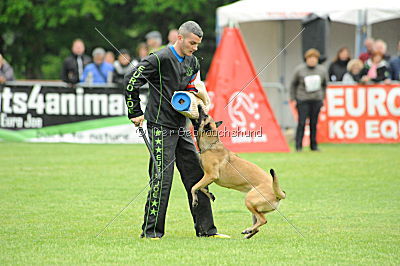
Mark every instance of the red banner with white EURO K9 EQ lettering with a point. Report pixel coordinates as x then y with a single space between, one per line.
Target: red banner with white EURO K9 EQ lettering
360 114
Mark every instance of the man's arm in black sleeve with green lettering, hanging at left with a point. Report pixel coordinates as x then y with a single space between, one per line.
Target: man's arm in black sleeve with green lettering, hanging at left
132 82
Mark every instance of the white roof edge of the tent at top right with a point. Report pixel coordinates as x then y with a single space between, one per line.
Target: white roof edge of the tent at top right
339 11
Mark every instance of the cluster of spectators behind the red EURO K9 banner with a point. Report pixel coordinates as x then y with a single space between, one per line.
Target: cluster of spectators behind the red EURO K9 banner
374 65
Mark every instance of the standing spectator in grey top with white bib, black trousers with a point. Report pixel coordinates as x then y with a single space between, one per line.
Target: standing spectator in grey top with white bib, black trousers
308 90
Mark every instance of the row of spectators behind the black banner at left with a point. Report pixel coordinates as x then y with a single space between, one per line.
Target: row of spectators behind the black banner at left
103 67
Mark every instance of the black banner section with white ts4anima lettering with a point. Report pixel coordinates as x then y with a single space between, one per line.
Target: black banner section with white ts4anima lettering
30 104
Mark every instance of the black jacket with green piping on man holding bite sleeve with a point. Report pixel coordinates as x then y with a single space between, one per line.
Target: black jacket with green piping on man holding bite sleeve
165 74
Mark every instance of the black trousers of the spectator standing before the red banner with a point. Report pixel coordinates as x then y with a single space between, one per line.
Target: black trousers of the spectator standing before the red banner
307 109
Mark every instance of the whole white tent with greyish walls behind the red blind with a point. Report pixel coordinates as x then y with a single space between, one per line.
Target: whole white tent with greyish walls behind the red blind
268 26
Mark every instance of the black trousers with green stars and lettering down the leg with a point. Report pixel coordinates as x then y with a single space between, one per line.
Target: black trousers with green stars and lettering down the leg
169 147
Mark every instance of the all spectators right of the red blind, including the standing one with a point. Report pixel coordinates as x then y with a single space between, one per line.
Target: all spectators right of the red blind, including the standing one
310 79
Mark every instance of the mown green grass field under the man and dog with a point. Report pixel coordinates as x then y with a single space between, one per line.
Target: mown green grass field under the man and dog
55 198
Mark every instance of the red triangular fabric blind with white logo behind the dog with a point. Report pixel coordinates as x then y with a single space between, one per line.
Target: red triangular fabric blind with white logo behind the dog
249 122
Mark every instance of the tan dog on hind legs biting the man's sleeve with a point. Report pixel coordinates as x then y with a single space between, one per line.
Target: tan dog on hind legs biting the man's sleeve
227 169
